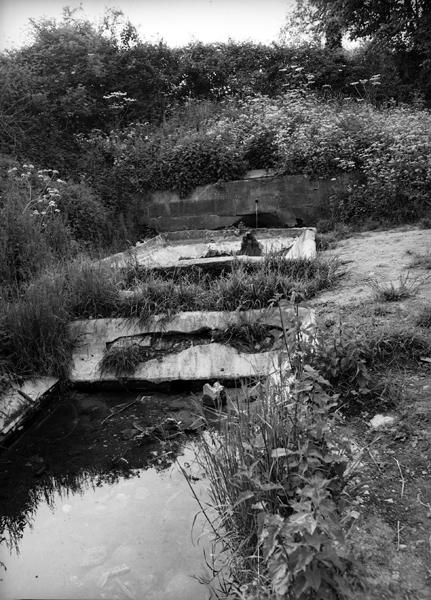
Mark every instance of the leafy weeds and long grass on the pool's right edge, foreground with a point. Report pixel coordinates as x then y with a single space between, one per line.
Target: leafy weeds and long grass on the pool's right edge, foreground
276 477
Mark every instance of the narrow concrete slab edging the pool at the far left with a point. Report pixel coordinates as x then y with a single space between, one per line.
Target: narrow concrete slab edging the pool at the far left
19 401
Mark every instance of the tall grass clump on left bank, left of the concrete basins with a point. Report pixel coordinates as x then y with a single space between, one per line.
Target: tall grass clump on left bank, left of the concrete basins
34 317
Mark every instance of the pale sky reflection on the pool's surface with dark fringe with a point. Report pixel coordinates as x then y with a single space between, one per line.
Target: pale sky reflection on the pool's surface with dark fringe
103 532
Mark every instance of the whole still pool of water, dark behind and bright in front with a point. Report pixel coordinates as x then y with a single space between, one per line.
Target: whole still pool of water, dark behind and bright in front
85 527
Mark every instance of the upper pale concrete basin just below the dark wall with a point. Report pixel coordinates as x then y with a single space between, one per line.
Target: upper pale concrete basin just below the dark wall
167 251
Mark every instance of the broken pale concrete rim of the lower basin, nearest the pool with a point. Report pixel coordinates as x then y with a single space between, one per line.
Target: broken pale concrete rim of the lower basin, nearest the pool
202 362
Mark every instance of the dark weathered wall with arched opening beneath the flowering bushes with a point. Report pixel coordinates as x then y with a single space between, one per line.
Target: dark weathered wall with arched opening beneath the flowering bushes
281 201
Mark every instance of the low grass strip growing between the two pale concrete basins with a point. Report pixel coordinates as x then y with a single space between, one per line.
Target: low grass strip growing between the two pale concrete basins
244 287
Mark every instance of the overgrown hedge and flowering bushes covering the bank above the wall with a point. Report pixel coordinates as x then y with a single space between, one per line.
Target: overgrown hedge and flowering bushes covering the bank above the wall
178 118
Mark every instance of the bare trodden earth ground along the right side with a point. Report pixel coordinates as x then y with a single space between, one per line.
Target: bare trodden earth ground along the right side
391 535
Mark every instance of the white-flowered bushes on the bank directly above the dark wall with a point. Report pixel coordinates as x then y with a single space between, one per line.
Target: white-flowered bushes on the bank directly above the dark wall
385 150
